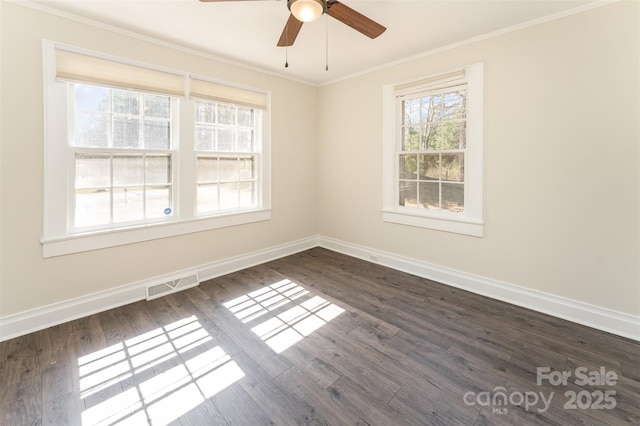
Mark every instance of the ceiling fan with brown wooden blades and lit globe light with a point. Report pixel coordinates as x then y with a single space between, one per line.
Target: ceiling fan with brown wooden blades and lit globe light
310 10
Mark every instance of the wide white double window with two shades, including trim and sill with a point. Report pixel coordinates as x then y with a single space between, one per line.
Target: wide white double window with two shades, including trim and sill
134 152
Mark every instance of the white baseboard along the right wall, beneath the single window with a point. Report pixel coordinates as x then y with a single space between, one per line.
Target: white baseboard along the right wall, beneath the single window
618 323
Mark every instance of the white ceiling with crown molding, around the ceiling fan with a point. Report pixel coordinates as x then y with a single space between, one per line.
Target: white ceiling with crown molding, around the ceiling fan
247 31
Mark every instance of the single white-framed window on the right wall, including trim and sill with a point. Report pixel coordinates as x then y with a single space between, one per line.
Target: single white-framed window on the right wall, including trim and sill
433 152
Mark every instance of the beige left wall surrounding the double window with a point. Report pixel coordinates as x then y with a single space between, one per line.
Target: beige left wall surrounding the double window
29 281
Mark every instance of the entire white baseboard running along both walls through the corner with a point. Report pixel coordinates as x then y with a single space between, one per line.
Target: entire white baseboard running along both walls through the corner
582 313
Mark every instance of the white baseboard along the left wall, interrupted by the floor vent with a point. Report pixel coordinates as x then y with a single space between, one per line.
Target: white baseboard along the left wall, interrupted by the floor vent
57 313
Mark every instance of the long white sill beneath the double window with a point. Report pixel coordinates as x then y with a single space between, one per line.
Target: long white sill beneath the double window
102 239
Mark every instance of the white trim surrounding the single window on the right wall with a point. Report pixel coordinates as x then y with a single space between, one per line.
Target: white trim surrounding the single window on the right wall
470 222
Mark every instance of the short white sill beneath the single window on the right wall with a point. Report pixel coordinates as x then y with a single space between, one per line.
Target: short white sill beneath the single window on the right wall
457 225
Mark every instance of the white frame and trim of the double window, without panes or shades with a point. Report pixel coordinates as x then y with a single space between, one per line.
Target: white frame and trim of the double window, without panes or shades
57 238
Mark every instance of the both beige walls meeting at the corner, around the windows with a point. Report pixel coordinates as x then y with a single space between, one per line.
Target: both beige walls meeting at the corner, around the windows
562 187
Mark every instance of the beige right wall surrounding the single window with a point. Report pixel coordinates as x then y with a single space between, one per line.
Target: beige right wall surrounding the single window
561 139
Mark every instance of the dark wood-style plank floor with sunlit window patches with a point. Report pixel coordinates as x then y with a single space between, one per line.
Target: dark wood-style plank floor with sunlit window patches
319 338
